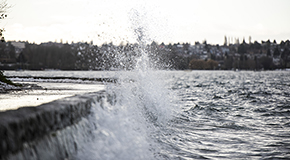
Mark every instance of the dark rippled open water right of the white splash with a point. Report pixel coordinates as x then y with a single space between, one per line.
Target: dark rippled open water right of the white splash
230 115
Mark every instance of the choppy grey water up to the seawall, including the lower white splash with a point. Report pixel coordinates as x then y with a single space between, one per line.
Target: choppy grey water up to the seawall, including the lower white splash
199 115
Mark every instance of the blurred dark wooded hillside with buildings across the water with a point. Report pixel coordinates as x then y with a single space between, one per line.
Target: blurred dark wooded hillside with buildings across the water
266 55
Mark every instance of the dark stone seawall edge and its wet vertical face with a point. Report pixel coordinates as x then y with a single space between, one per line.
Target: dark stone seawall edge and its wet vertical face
54 130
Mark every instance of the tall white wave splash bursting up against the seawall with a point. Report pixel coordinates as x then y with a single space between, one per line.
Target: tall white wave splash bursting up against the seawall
134 108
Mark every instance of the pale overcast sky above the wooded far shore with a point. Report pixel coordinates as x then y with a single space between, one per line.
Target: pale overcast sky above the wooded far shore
166 21
